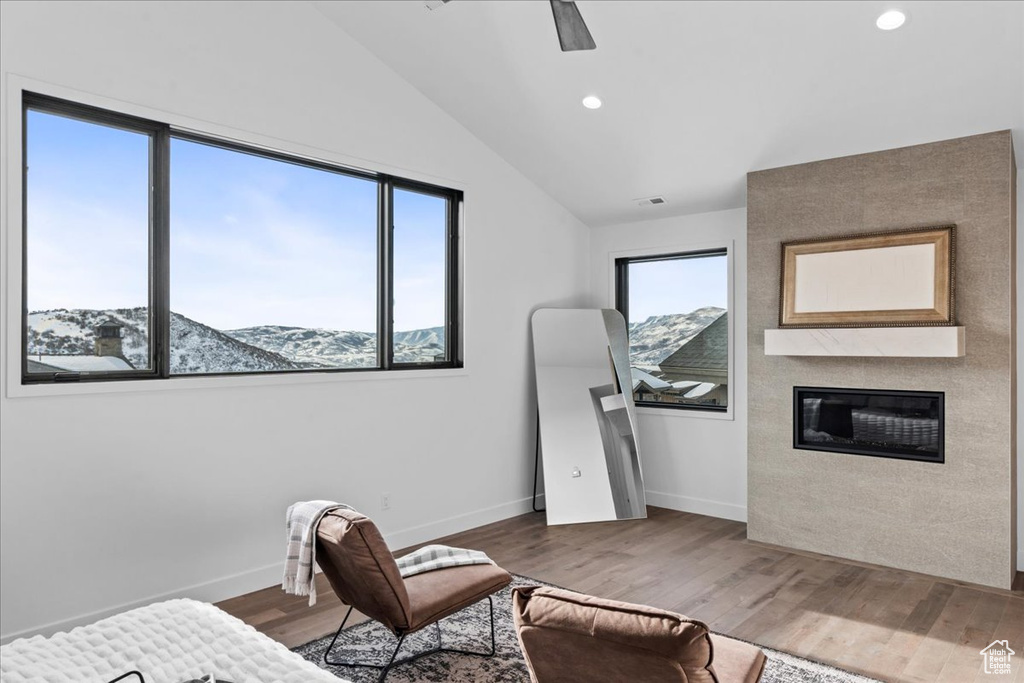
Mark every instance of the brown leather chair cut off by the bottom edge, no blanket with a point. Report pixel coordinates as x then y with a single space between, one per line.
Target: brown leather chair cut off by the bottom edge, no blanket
570 637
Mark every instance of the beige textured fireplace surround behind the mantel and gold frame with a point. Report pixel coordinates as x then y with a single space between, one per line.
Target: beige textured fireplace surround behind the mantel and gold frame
954 520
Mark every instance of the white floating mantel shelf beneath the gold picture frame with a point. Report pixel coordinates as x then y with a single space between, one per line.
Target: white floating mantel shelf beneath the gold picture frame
937 343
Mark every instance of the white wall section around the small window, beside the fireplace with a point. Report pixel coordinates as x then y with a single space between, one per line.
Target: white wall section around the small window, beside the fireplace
692 462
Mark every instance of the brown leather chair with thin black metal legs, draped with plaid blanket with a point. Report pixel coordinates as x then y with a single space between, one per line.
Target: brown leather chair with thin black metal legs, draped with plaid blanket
363 573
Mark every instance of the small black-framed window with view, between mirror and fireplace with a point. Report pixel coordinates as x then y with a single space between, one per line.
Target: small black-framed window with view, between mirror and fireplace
676 311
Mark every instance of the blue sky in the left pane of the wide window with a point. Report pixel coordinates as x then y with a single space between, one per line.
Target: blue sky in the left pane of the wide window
88 216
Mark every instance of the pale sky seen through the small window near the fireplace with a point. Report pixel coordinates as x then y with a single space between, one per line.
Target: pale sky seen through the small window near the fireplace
679 286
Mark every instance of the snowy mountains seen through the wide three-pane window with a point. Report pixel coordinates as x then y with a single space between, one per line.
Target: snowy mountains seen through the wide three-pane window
200 349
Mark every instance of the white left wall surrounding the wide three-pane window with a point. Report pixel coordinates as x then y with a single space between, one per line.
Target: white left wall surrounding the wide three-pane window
113 499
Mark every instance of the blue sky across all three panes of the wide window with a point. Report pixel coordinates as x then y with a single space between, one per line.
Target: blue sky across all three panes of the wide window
253 241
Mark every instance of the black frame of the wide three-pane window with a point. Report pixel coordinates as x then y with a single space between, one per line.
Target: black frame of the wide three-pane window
161 136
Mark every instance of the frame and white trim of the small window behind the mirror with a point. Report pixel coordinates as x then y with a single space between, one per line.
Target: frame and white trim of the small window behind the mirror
620 285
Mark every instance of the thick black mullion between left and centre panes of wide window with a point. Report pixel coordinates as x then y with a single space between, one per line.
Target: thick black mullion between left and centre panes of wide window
160 272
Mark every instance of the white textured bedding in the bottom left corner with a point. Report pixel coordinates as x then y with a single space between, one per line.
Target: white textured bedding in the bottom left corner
168 643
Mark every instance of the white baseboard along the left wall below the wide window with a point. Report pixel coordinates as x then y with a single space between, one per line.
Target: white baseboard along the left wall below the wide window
255 580
